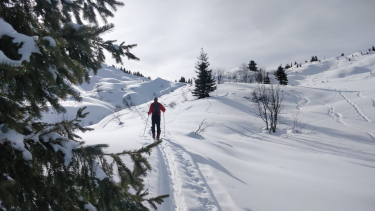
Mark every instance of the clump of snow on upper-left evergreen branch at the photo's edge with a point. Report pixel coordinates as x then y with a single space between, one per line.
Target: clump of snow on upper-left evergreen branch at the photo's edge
26 50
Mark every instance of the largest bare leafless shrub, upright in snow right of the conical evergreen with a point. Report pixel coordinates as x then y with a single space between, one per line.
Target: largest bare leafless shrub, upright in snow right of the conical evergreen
268 103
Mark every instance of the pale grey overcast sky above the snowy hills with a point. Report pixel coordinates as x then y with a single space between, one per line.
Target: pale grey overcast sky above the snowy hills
170 33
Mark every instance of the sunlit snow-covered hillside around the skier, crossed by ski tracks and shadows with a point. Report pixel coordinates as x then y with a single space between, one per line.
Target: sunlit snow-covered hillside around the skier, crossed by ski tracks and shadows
234 164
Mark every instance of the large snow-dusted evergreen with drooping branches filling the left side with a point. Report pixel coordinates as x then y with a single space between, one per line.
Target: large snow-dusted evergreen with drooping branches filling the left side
44 166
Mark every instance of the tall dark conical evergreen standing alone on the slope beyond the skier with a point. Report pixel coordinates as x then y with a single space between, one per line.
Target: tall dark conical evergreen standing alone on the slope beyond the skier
204 84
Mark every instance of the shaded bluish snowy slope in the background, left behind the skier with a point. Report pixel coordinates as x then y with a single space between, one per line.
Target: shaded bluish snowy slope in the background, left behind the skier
107 91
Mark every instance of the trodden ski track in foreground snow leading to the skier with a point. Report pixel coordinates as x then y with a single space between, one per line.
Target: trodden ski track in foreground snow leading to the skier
186 180
